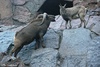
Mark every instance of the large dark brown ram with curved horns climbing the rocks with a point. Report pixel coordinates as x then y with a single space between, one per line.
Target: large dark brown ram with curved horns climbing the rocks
33 31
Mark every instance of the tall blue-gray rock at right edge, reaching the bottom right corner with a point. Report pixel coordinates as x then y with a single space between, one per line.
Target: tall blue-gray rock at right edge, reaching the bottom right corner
93 55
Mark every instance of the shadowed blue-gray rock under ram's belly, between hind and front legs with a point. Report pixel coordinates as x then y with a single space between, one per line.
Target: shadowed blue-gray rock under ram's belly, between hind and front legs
26 52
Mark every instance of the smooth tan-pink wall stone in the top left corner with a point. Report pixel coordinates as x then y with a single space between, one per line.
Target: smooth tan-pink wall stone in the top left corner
5 9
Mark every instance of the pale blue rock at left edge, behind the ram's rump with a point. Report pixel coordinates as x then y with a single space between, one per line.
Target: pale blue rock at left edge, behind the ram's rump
6 38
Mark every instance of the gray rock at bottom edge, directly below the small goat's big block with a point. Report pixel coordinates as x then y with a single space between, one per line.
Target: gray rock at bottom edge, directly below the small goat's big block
74 61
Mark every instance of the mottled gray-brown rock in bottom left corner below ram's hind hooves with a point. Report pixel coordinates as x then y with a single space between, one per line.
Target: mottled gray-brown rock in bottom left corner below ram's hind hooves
10 61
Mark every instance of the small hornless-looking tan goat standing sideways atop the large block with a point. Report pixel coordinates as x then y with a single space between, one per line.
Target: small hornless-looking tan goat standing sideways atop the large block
71 13
